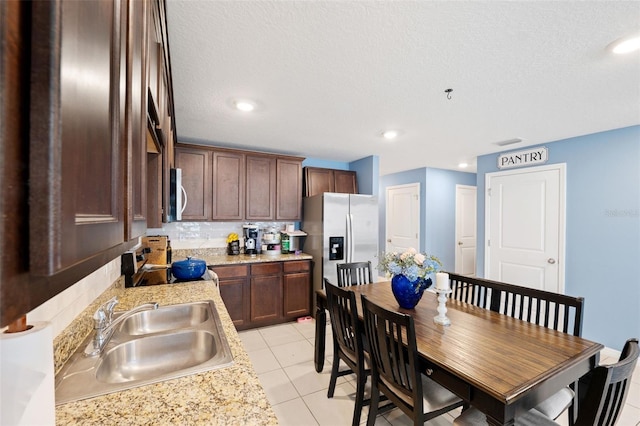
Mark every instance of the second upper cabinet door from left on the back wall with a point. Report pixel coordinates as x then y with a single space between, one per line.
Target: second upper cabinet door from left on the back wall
228 186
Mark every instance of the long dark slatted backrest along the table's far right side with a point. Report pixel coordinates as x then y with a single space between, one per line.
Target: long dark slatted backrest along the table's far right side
552 310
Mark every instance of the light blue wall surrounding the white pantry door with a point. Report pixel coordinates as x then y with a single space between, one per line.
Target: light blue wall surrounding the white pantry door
602 228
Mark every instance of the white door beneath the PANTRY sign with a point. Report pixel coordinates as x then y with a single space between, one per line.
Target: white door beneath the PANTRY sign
525 227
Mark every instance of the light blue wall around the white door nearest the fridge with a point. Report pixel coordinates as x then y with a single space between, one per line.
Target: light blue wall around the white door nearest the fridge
437 212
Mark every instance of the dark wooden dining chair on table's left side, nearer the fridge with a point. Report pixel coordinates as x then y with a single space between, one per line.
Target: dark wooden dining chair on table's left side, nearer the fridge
348 344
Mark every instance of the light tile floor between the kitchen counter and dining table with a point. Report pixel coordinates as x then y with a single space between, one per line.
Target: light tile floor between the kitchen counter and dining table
282 356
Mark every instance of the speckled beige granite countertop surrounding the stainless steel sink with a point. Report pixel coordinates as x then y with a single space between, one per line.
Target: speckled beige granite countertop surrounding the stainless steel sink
227 396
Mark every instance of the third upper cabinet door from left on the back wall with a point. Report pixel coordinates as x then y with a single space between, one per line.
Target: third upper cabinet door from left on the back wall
261 188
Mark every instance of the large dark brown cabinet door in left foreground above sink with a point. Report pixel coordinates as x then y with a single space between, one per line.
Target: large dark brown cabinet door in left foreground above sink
76 180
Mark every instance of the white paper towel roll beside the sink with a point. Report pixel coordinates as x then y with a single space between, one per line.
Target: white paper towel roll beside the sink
26 368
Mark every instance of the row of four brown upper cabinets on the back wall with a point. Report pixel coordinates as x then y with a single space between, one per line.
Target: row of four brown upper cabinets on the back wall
235 185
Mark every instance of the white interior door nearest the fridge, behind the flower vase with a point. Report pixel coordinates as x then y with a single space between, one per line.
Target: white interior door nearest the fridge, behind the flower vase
403 217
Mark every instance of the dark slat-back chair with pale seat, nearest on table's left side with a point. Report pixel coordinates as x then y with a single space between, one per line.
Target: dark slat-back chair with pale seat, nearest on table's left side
395 370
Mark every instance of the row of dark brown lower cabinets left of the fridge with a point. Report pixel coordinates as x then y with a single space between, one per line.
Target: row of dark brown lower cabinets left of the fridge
266 293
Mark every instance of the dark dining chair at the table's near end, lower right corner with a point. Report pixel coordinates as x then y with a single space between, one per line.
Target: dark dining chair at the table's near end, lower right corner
605 391
